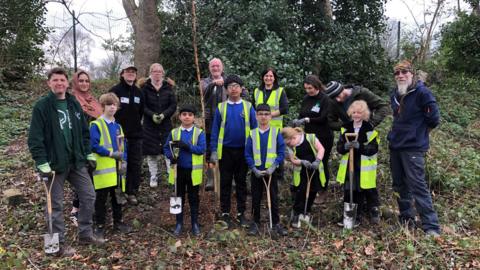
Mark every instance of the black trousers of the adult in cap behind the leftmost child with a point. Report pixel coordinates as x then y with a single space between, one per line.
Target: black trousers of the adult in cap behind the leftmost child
134 165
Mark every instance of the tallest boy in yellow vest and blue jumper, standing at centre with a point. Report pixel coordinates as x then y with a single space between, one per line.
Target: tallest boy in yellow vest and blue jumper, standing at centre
234 118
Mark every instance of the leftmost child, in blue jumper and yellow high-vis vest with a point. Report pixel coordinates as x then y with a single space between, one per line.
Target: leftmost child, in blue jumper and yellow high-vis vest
103 138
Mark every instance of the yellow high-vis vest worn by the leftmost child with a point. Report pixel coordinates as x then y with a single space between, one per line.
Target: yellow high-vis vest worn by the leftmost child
105 174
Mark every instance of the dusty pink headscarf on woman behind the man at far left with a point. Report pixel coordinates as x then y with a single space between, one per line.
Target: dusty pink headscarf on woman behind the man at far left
89 104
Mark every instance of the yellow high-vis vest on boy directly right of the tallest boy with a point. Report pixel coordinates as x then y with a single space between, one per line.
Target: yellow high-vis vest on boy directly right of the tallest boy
271 147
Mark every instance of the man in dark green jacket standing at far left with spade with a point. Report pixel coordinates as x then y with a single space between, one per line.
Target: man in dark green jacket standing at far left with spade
59 142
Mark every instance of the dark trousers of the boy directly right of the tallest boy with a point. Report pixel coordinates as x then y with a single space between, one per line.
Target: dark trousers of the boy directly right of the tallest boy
258 186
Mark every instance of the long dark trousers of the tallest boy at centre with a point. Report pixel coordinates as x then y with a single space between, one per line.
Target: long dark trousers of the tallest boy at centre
233 167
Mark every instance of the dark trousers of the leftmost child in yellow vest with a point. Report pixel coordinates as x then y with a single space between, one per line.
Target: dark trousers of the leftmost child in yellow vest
101 207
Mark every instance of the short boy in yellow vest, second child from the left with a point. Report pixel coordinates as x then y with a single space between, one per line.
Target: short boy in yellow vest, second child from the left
191 144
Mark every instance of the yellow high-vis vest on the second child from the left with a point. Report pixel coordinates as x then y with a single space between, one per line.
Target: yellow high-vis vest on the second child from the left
197 160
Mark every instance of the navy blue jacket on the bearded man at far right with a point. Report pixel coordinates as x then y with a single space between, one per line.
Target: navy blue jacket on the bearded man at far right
414 115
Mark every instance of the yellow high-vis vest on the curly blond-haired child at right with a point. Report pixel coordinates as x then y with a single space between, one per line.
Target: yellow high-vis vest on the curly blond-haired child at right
368 165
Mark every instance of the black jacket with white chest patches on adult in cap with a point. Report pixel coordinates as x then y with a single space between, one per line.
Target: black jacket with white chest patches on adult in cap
130 113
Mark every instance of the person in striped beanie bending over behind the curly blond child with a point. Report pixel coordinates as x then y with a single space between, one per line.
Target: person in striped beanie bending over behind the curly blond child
342 96
